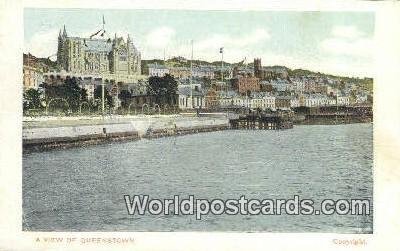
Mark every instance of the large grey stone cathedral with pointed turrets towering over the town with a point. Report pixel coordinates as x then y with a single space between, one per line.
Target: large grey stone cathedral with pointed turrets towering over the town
98 56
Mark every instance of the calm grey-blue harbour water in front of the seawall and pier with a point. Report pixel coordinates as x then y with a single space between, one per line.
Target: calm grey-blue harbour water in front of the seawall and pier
81 189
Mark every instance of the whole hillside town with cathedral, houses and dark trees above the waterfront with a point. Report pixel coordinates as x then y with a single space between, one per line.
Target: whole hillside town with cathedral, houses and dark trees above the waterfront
93 72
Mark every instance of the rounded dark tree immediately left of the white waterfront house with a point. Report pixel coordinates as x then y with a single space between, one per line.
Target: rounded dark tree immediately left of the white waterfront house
163 89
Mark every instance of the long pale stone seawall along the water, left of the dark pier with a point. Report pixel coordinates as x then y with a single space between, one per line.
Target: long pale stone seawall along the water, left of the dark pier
44 138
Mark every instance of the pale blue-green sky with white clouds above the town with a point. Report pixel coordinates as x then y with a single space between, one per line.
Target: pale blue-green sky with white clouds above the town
338 43
